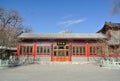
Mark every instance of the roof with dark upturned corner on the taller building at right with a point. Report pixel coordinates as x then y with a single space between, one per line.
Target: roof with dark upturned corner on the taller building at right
114 34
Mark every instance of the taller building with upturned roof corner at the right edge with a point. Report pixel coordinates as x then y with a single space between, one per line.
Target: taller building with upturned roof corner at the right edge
112 30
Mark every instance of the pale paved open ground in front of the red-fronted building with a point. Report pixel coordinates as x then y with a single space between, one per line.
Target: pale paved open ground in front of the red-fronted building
59 72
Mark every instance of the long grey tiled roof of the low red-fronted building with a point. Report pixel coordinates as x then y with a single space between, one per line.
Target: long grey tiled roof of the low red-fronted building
60 35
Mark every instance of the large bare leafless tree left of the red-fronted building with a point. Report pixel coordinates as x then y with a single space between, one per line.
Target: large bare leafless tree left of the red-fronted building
10 27
